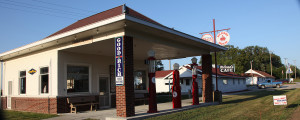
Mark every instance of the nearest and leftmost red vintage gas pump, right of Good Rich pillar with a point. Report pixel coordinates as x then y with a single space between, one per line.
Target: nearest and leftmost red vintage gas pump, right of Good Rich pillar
152 89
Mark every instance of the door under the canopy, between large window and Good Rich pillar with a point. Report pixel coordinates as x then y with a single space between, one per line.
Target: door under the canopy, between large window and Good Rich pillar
104 92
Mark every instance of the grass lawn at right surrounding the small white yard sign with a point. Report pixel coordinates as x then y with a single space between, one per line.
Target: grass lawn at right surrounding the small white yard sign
250 106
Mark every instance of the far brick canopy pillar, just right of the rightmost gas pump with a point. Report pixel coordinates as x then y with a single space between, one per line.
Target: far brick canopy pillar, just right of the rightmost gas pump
207 78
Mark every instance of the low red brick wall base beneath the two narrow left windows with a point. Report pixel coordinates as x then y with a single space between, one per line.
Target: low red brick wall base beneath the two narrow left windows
37 105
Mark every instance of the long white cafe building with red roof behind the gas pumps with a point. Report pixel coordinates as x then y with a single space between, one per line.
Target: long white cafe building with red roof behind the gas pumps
227 82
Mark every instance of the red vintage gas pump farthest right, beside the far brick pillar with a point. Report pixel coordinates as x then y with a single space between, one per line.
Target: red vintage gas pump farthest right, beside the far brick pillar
195 84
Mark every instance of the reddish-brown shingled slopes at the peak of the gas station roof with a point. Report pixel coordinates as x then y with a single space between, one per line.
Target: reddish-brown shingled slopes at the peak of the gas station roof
104 15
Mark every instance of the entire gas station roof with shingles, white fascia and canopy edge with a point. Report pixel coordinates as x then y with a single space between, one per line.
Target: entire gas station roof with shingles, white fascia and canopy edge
114 18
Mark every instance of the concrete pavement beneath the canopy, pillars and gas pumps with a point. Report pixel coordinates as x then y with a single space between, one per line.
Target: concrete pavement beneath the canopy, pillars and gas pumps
140 112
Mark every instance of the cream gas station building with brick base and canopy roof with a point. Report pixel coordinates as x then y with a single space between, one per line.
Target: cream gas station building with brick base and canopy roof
79 60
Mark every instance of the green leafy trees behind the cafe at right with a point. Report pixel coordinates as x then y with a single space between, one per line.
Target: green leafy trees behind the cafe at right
260 57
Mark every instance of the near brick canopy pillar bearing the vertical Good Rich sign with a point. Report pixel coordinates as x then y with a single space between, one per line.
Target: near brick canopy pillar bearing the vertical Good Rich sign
125 94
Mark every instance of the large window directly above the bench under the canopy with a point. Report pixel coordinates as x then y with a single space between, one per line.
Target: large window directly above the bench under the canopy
77 79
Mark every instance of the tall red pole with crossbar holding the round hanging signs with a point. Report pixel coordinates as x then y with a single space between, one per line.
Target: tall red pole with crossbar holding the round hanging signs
214 31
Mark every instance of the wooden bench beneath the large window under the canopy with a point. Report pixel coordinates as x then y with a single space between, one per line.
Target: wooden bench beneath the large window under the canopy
82 101
